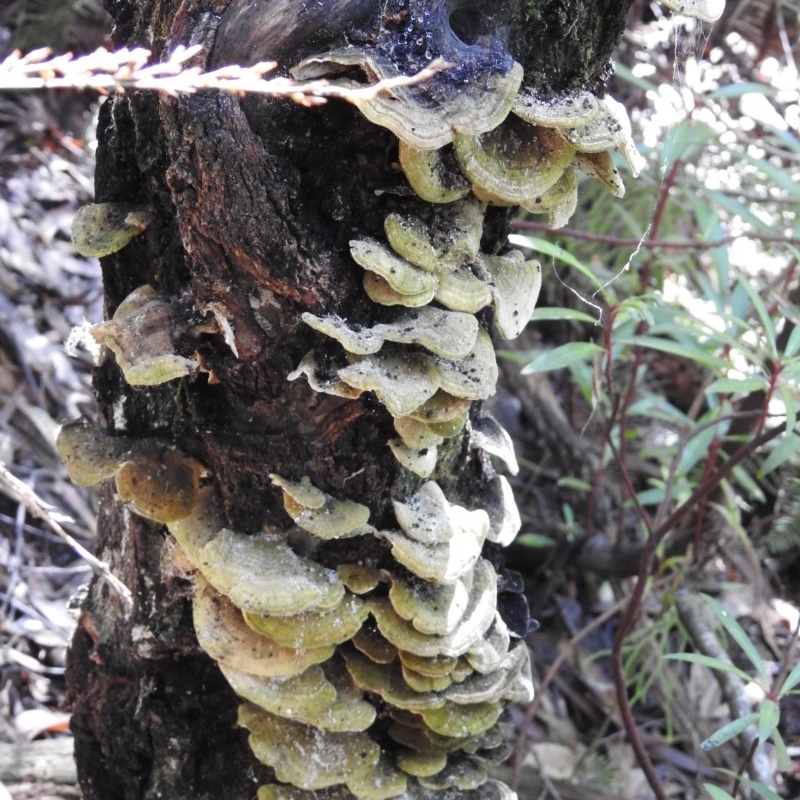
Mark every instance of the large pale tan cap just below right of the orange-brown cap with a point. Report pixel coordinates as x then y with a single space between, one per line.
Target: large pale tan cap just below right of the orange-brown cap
261 574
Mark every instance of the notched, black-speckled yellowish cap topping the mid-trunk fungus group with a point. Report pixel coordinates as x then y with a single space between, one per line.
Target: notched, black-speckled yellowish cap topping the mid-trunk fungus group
450 240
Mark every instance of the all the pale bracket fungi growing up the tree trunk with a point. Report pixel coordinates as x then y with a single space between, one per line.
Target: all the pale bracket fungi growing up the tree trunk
378 681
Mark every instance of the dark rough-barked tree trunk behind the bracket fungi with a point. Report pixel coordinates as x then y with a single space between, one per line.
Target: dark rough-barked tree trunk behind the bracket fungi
255 203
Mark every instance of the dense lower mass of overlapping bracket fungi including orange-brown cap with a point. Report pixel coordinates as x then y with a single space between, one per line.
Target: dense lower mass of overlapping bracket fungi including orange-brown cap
370 683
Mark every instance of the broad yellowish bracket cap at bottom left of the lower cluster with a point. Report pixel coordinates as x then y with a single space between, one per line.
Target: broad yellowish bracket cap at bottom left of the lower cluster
306 756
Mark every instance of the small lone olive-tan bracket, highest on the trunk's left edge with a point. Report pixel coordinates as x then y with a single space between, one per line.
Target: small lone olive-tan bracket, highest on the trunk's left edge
100 229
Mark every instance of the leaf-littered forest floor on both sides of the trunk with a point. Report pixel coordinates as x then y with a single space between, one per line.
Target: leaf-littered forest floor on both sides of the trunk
571 741
